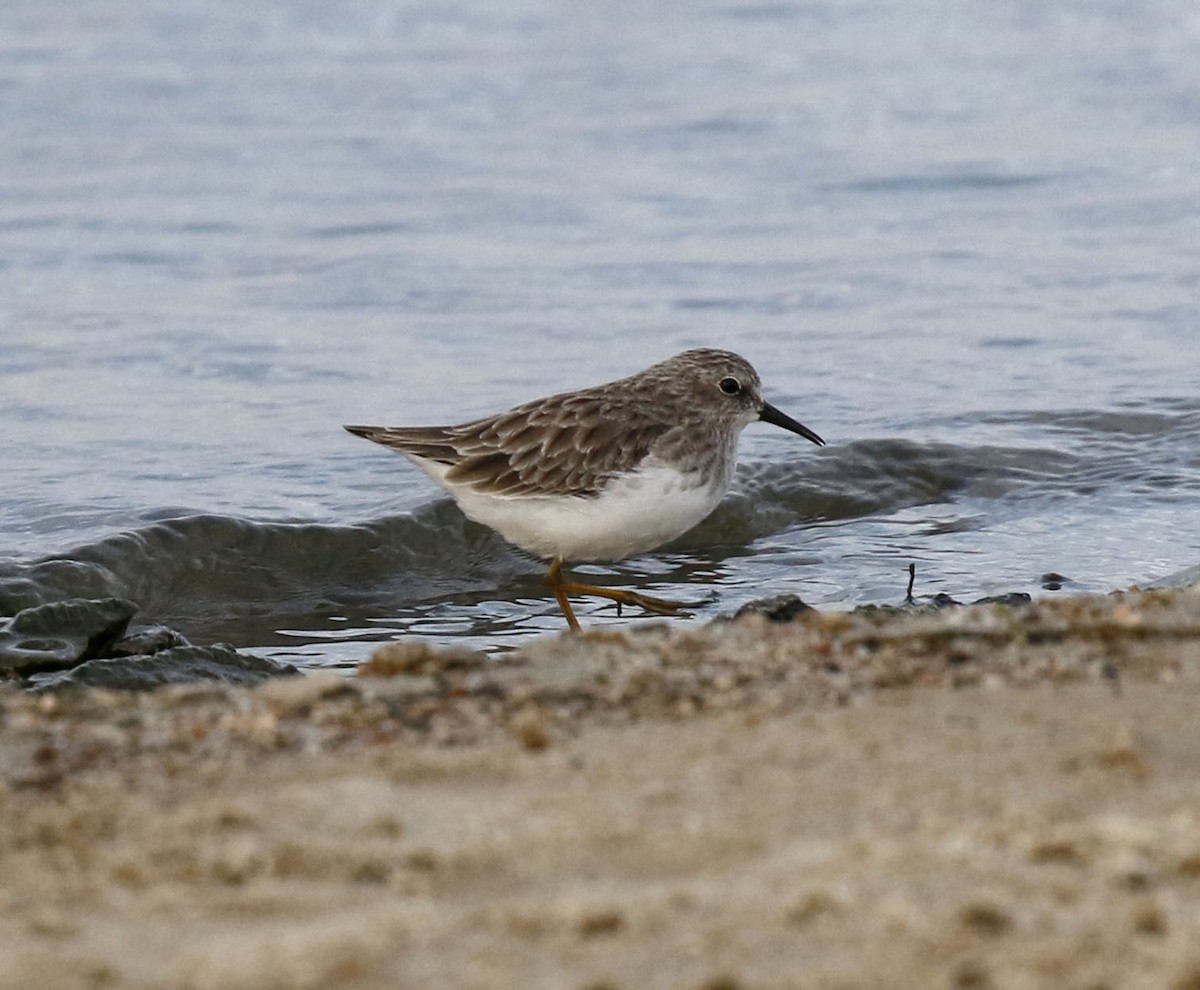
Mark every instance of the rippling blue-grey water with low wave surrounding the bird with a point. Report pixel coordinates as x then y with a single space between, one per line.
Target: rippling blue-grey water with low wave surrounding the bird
961 242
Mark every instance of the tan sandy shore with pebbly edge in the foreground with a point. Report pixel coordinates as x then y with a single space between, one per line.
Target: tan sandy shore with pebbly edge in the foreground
977 799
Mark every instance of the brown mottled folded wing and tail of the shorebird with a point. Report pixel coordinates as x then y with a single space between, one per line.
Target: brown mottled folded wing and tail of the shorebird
569 445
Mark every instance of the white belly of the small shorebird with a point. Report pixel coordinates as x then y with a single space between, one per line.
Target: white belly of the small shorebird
633 515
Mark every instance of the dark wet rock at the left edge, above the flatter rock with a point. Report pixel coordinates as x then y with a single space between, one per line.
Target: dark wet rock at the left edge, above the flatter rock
63 634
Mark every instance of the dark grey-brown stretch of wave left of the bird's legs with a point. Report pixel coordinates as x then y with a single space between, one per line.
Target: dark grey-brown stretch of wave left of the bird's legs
201 569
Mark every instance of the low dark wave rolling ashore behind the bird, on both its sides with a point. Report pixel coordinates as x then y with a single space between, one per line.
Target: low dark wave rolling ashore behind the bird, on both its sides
219 578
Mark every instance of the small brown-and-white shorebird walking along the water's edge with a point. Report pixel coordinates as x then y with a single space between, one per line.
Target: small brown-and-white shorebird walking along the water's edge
601 473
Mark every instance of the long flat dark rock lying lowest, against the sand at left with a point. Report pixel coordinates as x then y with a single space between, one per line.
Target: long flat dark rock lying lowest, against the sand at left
178 665
